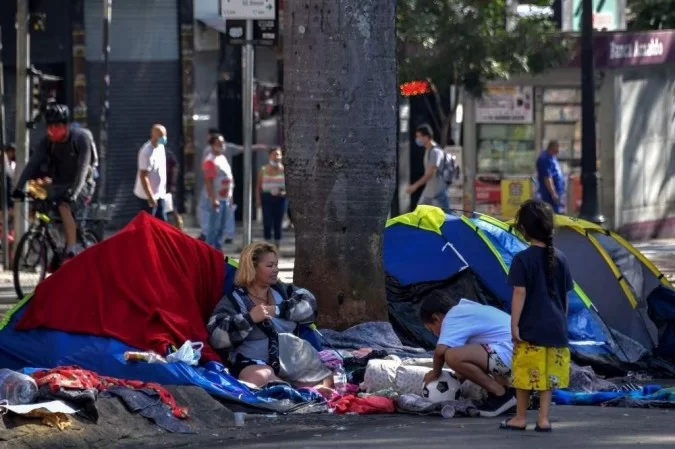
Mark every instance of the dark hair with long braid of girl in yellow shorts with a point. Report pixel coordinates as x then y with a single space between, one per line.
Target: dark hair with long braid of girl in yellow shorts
535 220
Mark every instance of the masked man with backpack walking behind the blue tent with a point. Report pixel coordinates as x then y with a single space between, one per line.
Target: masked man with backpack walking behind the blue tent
435 191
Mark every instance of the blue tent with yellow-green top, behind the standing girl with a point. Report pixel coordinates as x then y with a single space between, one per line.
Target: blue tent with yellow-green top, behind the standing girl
427 247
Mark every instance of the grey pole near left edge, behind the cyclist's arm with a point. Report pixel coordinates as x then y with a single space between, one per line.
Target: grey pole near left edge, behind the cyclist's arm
21 135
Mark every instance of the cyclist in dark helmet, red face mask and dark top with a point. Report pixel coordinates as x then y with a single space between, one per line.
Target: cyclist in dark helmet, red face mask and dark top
66 154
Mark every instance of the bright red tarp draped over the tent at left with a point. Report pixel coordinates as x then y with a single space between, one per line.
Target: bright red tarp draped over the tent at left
149 286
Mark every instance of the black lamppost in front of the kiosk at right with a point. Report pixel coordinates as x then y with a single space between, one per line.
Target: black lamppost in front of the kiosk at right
590 207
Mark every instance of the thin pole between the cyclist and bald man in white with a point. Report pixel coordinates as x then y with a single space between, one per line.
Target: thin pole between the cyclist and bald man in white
105 103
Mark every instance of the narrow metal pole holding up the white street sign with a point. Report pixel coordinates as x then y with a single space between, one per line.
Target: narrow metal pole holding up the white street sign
247 62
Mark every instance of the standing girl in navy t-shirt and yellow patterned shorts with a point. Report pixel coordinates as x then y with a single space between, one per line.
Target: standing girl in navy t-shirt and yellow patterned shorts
541 279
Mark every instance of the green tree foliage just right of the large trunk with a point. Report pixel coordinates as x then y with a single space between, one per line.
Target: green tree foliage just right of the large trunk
465 42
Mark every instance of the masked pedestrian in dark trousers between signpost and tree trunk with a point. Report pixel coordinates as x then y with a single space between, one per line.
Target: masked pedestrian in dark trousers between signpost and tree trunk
271 195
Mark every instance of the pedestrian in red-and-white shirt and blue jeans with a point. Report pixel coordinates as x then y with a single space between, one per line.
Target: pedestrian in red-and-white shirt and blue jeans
217 190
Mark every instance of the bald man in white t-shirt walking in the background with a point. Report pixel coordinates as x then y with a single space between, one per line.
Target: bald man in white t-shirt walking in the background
150 187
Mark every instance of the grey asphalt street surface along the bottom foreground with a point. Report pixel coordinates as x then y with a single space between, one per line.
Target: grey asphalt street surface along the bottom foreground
583 427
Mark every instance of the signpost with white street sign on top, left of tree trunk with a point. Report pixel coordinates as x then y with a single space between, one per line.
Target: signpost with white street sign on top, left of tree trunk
248 11
